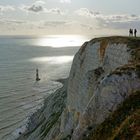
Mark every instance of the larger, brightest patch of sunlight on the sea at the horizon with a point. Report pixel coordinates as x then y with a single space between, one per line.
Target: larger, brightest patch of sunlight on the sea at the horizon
58 41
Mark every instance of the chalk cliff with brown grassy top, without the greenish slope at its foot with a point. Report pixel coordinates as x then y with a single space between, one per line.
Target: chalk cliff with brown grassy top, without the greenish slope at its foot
104 73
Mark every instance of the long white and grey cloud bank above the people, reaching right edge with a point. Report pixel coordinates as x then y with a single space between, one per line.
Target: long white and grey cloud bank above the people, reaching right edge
119 21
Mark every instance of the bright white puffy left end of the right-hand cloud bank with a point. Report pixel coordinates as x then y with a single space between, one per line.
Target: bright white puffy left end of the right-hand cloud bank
86 12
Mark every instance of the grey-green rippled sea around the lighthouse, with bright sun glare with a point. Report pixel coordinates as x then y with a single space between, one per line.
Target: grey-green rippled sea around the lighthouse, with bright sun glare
20 56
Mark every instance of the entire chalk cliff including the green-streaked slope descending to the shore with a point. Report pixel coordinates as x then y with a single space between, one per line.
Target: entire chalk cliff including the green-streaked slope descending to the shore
105 72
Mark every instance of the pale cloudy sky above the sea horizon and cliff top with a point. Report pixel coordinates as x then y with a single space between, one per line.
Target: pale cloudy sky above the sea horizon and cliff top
84 17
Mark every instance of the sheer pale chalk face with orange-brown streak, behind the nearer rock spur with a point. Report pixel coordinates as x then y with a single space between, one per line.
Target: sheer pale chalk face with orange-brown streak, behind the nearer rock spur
93 61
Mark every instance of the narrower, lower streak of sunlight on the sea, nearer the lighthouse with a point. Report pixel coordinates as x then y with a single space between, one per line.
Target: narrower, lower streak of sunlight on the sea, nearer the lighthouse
54 59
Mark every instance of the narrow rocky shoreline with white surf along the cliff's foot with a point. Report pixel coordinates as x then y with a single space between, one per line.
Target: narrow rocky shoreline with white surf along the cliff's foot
27 125
